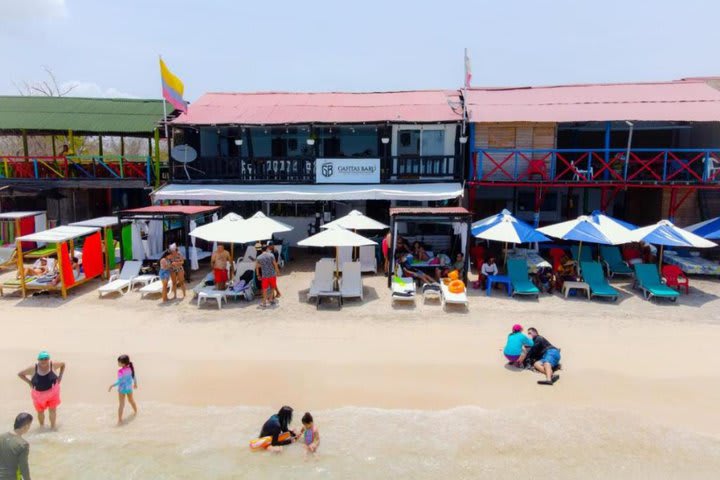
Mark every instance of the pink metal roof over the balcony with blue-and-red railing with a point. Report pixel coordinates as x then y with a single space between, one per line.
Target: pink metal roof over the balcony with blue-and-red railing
682 100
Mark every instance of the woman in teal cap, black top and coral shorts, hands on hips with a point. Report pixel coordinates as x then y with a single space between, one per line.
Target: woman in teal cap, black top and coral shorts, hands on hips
44 385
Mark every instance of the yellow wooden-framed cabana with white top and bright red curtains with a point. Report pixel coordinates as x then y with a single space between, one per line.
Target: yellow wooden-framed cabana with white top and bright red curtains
63 239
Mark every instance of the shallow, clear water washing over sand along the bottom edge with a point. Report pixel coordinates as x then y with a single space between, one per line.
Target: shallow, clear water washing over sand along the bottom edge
174 442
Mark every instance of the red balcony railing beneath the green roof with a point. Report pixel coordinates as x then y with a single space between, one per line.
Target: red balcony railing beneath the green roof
77 167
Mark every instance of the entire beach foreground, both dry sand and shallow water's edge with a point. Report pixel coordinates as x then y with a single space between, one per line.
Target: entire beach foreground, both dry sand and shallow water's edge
408 392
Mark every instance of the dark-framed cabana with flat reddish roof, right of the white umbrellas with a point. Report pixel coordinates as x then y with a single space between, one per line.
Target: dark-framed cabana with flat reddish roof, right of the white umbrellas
457 220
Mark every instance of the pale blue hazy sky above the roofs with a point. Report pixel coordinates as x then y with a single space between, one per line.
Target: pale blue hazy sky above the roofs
111 48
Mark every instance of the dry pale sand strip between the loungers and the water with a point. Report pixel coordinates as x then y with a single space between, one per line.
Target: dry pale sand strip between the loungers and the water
651 362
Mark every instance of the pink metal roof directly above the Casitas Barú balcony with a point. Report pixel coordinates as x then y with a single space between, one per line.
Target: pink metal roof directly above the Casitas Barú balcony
279 108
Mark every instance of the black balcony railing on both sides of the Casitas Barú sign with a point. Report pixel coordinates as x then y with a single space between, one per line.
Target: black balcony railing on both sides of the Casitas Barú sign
397 169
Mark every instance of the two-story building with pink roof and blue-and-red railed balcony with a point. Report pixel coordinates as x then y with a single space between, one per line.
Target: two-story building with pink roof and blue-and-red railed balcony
641 151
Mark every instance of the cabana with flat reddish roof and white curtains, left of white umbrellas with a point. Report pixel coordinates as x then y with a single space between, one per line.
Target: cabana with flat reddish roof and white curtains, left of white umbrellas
174 217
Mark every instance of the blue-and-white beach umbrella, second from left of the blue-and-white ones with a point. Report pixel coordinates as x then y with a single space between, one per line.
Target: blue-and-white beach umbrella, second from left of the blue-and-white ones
594 228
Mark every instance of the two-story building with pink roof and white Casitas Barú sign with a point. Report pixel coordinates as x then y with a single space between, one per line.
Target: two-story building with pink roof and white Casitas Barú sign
306 156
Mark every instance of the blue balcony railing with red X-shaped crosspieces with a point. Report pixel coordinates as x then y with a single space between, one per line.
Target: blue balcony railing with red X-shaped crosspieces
596 166
